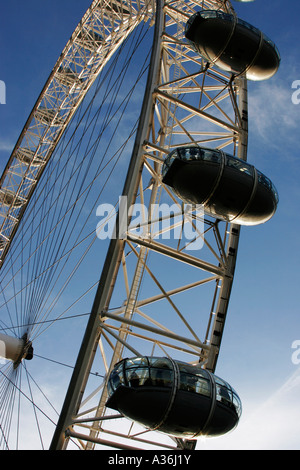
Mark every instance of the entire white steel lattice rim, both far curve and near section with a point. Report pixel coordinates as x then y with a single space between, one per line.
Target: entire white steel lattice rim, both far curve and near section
187 102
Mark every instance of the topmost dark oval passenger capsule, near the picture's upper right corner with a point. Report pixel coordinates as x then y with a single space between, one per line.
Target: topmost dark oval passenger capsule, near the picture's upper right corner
233 44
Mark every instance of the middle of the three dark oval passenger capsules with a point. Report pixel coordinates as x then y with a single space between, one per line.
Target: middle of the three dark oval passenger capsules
229 189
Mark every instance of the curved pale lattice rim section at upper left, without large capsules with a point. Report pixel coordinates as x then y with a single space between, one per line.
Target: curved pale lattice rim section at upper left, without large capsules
102 30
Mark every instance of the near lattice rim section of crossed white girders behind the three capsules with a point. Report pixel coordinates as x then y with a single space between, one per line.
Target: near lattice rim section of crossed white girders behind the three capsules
188 103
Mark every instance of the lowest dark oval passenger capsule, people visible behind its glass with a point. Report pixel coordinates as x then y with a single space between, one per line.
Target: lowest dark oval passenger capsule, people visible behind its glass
173 397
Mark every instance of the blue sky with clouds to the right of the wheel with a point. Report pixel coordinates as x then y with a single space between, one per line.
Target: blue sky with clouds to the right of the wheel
264 313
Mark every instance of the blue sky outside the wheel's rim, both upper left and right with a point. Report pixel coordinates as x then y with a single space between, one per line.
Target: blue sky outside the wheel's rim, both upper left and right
263 320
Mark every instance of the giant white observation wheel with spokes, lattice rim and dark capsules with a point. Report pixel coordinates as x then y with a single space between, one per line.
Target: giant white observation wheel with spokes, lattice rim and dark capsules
150 97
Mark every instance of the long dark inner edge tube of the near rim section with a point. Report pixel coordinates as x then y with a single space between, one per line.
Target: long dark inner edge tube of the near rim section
113 258
